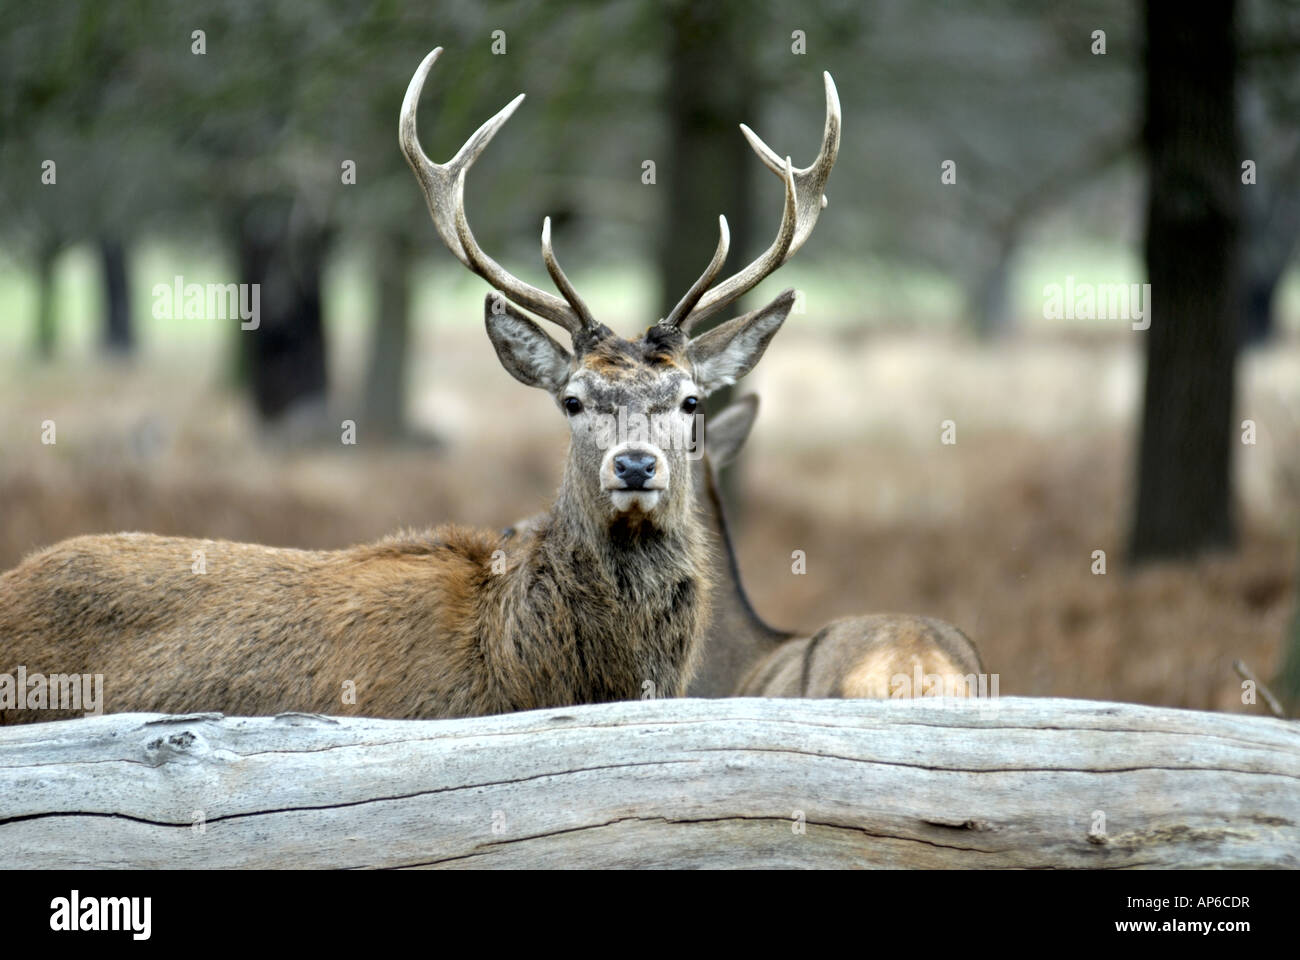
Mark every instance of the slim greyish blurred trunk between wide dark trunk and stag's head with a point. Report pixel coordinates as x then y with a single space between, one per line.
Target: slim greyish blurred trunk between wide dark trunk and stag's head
385 383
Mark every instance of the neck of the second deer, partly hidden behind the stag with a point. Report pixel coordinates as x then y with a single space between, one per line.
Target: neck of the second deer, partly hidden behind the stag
738 635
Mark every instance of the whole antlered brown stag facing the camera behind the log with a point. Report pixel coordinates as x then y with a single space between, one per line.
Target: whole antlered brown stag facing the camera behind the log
609 598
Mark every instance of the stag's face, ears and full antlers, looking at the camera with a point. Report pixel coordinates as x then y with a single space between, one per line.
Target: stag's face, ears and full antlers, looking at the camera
656 383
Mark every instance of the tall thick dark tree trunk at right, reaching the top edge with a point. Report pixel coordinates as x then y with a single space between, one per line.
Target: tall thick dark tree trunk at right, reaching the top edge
1186 448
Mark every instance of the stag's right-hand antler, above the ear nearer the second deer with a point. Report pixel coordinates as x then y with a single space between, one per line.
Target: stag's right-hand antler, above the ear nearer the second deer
804 204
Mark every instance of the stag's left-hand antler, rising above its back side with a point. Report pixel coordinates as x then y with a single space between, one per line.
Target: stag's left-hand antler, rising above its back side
444 188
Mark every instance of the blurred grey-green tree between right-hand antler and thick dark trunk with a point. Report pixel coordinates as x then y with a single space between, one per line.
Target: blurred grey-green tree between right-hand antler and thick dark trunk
925 85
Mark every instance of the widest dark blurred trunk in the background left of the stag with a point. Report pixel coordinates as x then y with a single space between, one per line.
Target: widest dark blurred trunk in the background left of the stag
285 354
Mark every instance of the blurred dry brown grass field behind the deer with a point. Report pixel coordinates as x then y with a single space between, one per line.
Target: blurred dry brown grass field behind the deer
995 533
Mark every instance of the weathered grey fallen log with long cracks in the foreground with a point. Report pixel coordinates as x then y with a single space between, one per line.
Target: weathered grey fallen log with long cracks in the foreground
928 784
